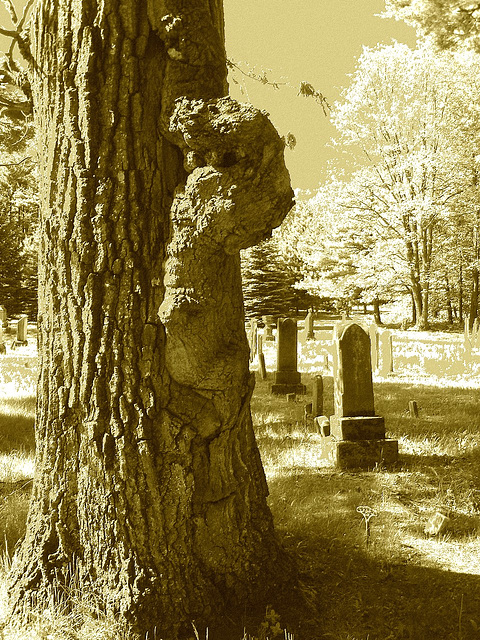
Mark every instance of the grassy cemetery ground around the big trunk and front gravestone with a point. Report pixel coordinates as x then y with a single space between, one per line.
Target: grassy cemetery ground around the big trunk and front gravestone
403 584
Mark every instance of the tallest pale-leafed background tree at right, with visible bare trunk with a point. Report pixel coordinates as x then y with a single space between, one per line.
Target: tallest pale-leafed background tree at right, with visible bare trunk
401 113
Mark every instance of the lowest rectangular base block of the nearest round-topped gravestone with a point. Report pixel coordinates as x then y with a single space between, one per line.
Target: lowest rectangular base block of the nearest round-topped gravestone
360 454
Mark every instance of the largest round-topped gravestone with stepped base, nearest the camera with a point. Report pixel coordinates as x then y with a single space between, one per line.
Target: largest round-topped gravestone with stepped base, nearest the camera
357 435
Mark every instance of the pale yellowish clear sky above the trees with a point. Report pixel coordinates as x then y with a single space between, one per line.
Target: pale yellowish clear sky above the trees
316 41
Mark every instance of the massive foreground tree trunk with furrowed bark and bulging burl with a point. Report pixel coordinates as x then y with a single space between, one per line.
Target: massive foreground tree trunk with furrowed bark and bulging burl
148 477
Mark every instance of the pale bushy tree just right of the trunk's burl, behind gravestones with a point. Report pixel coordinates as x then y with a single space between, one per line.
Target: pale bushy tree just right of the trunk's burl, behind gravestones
344 260
